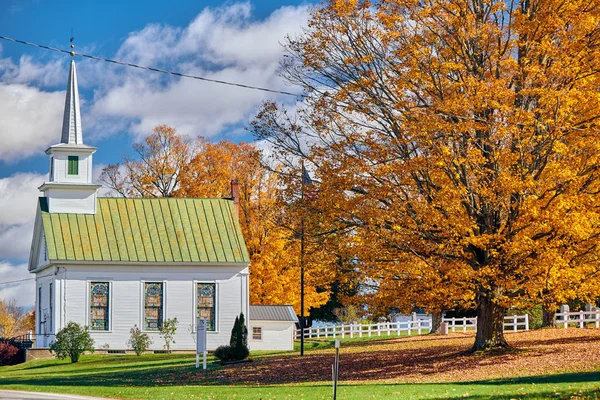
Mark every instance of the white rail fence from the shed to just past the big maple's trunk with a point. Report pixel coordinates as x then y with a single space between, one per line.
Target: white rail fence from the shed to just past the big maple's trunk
420 326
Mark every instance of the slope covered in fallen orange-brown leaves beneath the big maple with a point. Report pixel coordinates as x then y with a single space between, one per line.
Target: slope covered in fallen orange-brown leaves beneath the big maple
431 359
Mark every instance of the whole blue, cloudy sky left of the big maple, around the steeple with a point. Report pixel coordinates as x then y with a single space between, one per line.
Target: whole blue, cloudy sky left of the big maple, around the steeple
233 41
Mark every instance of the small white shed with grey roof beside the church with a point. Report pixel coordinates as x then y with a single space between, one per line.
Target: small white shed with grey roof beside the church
272 327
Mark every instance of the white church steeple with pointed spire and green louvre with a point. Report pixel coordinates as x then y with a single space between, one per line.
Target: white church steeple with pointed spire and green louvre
69 188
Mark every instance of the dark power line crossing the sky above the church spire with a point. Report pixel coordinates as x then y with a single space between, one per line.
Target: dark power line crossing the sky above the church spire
162 71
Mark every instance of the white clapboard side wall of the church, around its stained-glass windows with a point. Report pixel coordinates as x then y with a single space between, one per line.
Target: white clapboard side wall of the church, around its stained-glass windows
126 300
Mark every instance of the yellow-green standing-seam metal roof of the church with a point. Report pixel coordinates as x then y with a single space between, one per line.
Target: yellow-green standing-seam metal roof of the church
147 230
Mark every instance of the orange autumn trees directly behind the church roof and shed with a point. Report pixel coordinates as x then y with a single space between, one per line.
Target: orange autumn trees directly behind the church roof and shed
168 164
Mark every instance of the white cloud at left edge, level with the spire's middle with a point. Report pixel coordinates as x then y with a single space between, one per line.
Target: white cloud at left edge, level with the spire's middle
31 120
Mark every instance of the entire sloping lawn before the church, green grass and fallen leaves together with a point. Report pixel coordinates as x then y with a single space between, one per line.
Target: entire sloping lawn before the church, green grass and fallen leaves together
557 363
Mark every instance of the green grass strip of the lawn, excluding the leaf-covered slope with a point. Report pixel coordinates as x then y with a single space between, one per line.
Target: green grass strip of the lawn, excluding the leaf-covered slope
156 377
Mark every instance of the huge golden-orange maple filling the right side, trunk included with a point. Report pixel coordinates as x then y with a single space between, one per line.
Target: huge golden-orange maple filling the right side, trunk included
458 140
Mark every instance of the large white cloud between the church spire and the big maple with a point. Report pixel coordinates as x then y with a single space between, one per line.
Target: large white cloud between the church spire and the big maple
224 44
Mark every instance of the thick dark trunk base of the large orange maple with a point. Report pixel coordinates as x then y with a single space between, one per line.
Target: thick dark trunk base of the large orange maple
490 325
